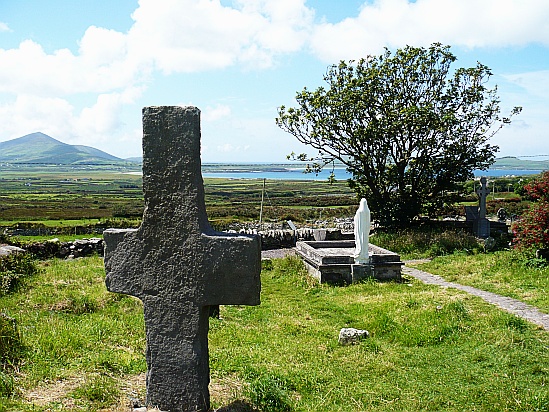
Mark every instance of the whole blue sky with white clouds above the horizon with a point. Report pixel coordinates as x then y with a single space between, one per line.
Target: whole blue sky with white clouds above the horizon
81 71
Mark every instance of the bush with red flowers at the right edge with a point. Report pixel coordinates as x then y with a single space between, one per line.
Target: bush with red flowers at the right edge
532 229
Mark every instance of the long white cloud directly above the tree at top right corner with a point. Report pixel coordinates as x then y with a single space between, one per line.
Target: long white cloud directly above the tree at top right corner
466 23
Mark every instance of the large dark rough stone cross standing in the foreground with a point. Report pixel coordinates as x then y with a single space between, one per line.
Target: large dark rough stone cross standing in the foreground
176 264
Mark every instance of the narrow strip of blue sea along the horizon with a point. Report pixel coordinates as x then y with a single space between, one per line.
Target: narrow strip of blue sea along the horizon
340 174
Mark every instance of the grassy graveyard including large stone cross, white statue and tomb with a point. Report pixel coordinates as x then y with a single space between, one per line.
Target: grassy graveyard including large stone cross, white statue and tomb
134 329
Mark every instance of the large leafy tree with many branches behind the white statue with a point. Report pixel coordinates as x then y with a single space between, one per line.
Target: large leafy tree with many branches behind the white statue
405 126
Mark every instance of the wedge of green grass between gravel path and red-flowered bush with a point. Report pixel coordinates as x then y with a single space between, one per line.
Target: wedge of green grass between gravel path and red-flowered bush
505 272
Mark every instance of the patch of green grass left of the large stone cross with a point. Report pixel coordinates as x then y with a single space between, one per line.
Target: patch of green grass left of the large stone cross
72 328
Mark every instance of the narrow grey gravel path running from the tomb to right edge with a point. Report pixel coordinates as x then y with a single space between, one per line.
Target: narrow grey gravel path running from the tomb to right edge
514 306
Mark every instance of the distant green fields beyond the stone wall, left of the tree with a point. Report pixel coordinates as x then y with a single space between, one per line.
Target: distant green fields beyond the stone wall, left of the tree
80 196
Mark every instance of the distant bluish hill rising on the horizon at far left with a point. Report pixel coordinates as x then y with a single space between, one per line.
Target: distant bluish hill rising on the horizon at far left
41 148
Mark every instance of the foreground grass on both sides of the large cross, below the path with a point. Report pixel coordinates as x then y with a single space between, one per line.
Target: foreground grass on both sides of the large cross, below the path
429 348
